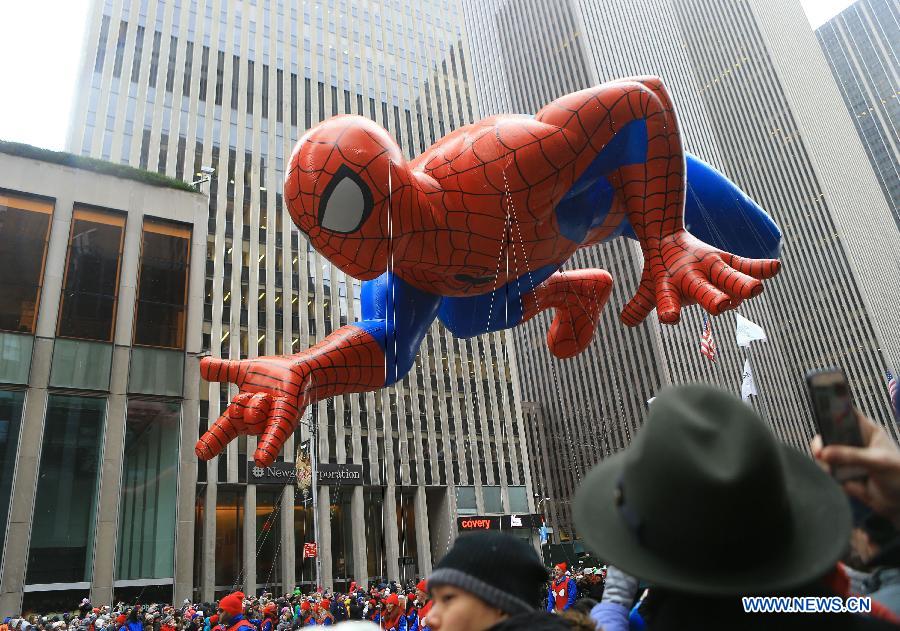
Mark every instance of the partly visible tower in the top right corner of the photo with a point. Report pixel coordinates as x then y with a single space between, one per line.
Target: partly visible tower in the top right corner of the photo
860 45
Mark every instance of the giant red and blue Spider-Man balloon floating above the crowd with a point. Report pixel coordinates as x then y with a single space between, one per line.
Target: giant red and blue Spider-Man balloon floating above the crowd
474 232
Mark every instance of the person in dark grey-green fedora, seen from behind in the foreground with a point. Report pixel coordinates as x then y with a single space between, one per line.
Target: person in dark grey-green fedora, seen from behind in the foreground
706 505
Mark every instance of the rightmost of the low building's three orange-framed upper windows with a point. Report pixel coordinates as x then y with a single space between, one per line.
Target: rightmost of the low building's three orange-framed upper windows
162 286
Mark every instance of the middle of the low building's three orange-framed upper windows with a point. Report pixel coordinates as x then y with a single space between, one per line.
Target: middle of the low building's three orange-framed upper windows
90 287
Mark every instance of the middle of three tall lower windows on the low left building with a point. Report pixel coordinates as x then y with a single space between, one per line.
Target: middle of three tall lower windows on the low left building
62 531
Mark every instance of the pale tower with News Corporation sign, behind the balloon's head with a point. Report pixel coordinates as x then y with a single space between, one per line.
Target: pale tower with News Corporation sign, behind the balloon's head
177 85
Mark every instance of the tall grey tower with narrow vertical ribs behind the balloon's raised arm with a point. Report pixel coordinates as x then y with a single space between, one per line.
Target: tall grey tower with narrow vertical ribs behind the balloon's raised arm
740 110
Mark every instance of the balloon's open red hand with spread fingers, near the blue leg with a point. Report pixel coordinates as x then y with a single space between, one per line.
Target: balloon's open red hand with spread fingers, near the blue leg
681 270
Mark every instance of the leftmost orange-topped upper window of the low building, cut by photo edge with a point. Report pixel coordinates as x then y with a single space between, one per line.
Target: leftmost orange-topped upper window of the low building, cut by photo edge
24 232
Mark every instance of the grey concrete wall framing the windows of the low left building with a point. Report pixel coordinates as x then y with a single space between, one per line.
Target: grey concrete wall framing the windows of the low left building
68 188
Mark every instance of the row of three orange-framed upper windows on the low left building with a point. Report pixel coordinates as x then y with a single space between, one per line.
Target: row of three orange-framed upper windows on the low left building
90 291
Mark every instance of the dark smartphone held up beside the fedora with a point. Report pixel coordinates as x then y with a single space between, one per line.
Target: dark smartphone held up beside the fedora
835 415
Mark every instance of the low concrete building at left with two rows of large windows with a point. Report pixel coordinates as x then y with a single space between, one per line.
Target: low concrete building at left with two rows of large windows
102 278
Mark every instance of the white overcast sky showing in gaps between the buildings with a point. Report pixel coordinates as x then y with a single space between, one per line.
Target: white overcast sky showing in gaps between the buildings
40 49
